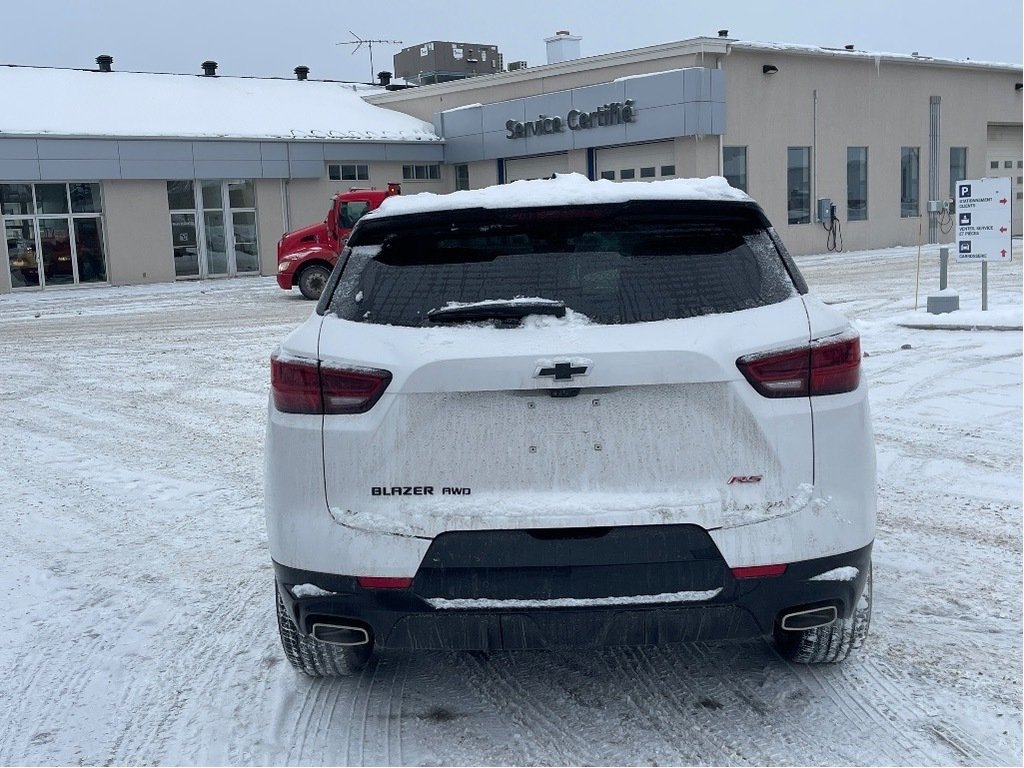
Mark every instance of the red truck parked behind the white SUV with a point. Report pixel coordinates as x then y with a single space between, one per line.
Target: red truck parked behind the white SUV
307 257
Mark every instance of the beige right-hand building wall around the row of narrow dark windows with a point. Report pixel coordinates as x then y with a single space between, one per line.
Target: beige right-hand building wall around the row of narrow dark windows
860 103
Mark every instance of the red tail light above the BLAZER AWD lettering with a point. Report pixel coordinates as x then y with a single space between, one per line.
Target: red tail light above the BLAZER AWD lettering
308 388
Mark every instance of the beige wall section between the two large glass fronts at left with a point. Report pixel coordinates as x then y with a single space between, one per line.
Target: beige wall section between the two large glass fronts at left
139 233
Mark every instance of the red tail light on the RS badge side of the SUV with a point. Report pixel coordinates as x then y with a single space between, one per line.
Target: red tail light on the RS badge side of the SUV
829 366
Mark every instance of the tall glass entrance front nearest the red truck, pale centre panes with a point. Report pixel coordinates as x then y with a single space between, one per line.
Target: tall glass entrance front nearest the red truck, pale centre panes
214 228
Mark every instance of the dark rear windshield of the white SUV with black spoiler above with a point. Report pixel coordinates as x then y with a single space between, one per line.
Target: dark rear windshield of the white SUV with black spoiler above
613 265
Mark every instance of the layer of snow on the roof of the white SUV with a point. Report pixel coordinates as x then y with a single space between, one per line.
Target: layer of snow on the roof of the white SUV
565 189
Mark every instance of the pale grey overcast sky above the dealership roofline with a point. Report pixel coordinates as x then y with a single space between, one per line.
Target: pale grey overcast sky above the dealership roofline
272 37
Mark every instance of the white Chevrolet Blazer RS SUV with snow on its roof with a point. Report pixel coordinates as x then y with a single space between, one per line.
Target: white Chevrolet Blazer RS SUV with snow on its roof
569 413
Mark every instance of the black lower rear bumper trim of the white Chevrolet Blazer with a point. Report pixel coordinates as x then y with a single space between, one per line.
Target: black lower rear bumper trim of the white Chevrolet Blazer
741 610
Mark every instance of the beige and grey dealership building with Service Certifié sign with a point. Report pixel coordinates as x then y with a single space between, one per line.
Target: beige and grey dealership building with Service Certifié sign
110 178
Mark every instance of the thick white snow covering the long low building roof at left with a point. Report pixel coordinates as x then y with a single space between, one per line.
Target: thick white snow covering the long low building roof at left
80 103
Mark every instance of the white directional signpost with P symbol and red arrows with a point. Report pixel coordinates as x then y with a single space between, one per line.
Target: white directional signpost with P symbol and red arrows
984 217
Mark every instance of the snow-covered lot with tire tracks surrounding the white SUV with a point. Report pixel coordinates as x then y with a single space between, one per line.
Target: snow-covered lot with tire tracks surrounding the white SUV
139 617
